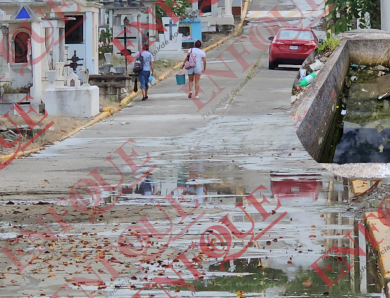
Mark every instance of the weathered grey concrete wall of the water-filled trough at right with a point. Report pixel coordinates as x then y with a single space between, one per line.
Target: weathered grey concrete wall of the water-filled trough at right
315 110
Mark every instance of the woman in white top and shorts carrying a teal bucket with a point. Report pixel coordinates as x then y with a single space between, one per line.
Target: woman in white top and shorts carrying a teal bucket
193 64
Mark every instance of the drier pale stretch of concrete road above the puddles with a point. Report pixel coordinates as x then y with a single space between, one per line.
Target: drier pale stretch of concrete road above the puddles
169 125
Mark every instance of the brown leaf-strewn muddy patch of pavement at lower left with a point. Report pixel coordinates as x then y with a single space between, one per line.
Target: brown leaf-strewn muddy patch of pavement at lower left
67 256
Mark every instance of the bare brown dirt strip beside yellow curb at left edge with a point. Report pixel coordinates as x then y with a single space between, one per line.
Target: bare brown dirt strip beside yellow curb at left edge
62 125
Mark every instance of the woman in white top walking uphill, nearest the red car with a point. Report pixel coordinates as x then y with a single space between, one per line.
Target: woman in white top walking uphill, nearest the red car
197 70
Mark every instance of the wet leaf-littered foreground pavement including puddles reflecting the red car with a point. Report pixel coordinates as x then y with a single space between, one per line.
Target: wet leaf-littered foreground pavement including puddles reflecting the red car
315 214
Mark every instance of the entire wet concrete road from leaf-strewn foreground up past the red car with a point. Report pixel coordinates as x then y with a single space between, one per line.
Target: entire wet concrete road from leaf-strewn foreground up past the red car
244 143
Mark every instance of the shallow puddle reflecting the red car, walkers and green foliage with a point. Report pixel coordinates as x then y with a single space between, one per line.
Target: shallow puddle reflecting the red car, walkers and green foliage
279 264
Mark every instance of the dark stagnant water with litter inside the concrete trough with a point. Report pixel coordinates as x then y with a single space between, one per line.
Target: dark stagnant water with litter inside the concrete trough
360 132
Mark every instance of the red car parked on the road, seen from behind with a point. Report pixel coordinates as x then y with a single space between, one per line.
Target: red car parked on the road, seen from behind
291 46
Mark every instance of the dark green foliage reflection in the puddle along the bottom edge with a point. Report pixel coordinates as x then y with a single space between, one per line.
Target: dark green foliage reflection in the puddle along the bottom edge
253 277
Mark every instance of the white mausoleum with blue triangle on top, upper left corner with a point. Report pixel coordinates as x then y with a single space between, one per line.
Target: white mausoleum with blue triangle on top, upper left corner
34 34
